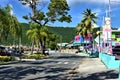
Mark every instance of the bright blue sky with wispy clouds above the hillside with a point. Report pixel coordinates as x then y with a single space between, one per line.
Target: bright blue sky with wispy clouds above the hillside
76 9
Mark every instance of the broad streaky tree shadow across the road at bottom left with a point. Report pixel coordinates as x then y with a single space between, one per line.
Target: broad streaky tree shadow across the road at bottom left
20 73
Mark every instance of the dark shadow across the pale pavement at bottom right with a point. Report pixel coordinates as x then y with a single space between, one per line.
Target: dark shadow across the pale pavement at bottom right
98 76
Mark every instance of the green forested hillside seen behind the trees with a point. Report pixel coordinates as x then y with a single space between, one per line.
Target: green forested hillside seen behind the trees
66 33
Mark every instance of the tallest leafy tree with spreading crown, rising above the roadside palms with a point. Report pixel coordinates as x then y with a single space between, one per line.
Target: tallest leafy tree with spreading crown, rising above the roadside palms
57 11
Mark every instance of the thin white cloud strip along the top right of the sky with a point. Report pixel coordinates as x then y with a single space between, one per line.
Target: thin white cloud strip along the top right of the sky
72 2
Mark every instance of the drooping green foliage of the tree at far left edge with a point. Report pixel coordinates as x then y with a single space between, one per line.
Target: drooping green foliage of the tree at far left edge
9 24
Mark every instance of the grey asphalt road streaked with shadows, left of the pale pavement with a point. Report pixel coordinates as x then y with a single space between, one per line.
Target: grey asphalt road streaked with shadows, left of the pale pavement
53 68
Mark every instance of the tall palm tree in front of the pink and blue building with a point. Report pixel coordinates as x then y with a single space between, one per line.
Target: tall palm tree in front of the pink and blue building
86 26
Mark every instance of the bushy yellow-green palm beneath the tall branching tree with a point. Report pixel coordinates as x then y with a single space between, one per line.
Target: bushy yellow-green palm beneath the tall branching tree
37 35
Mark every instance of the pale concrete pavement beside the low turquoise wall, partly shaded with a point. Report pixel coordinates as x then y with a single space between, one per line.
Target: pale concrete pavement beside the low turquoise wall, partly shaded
94 69
